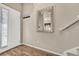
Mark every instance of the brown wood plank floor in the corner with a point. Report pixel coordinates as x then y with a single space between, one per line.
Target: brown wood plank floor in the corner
24 50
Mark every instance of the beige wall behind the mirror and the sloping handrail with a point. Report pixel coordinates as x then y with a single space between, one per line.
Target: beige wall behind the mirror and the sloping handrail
57 41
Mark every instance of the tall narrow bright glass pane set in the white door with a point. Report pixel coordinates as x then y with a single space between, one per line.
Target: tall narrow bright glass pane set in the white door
3 27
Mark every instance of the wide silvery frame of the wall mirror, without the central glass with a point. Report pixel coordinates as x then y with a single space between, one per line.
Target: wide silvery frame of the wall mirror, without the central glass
40 19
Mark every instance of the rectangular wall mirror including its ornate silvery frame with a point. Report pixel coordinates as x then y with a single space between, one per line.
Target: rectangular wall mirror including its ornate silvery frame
45 20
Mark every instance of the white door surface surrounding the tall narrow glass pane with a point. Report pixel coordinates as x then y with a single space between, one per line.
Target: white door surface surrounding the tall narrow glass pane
13 28
